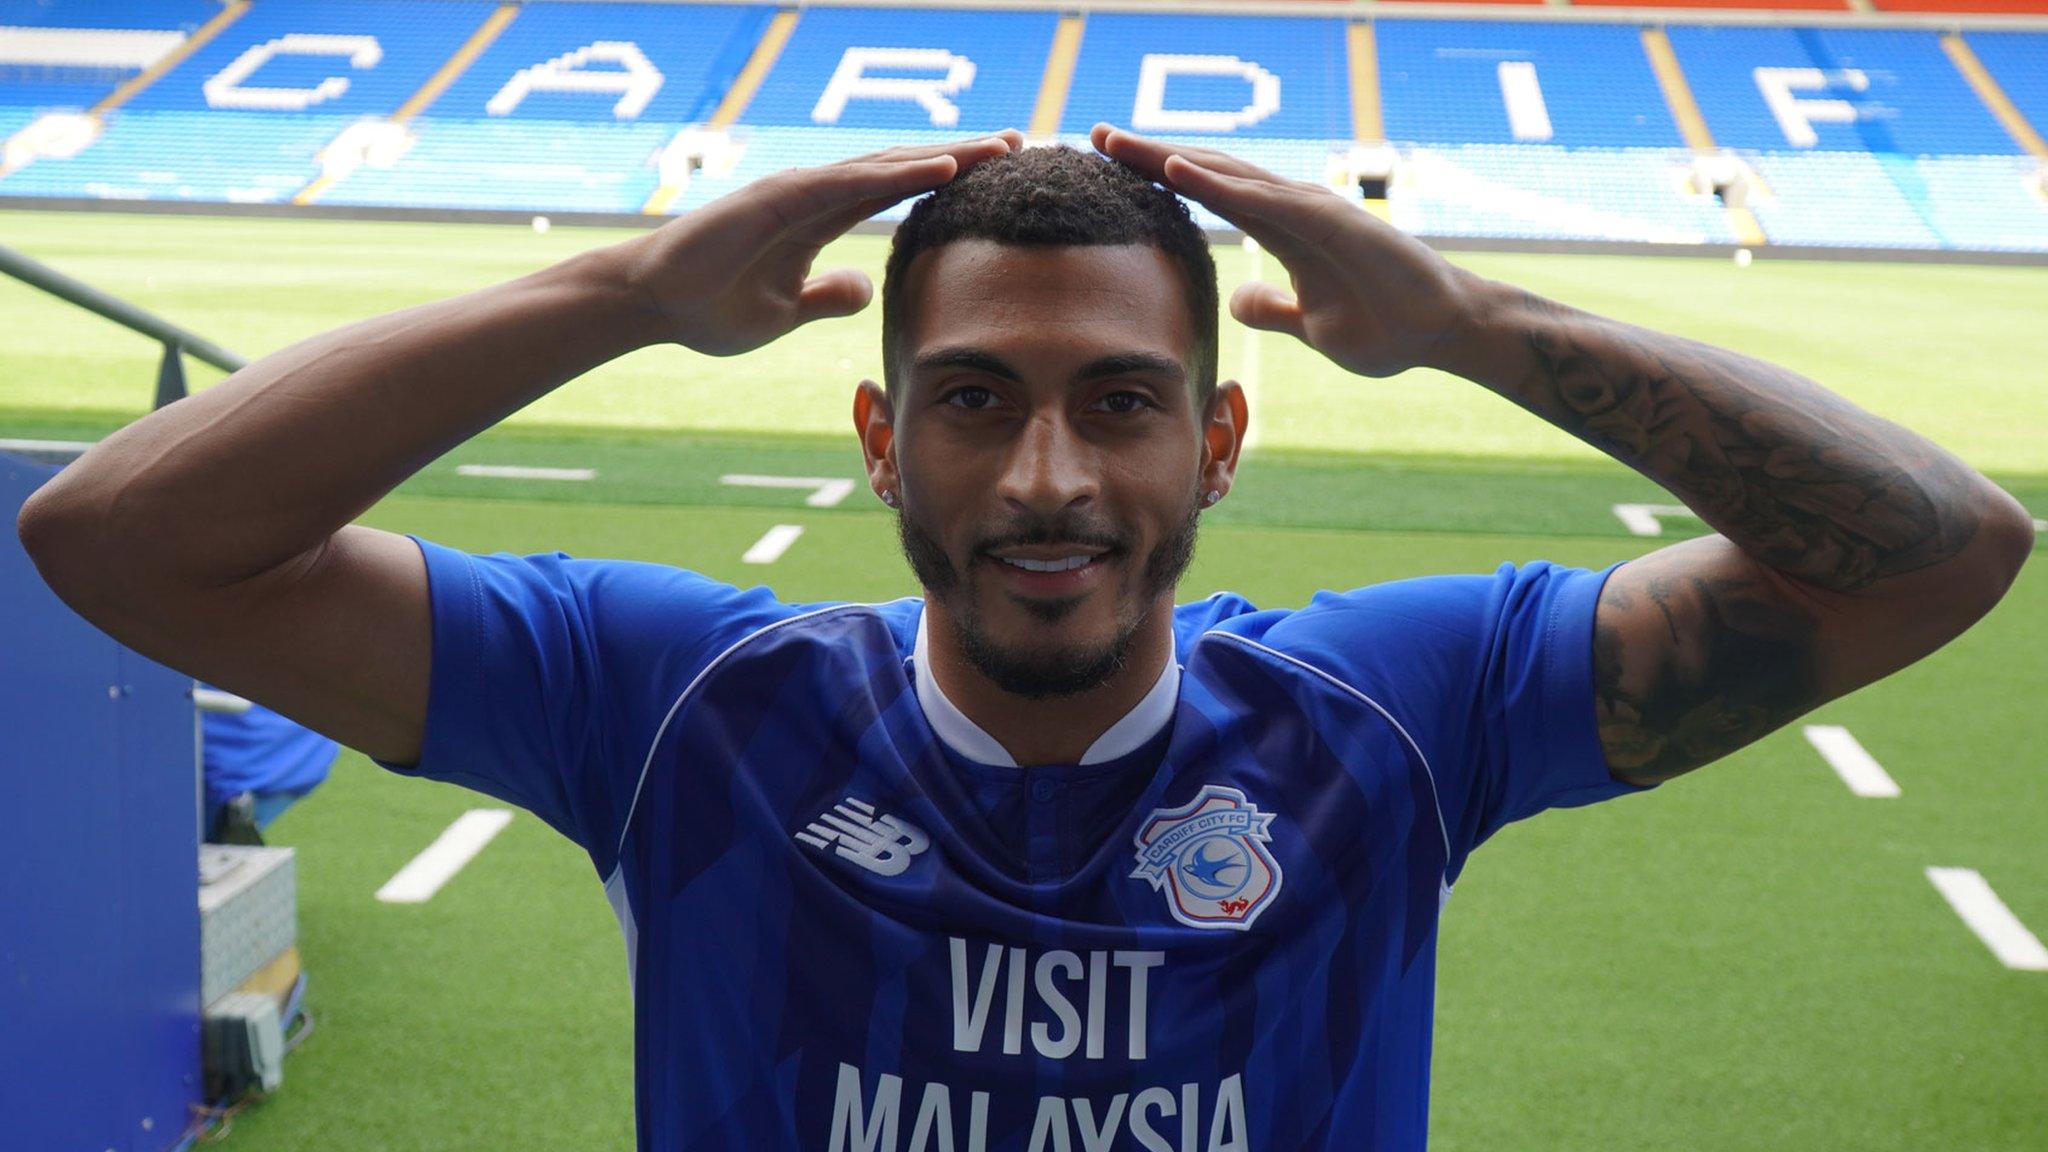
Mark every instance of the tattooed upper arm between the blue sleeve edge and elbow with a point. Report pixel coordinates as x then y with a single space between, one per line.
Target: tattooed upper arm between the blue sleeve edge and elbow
1736 663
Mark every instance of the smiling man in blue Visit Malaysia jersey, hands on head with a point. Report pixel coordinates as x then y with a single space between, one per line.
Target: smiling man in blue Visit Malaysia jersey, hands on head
1035 862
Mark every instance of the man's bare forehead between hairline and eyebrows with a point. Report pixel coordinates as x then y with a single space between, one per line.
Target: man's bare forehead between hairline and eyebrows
1048 302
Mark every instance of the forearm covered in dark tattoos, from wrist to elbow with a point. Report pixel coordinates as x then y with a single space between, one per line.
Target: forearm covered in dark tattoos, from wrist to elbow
1793 475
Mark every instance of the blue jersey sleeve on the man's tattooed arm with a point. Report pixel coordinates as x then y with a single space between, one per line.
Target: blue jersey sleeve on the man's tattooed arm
1492 677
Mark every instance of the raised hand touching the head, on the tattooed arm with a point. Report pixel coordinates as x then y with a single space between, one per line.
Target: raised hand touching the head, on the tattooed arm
1367 296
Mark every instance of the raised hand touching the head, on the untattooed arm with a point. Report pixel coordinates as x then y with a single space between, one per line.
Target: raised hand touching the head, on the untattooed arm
736 274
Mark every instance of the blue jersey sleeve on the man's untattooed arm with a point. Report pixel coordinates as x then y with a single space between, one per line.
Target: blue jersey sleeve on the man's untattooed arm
552 677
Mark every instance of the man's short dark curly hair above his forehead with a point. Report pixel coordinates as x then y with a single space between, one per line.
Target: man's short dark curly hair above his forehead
1058 198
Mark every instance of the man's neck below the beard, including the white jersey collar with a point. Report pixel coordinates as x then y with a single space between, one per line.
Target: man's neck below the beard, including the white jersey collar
1048 731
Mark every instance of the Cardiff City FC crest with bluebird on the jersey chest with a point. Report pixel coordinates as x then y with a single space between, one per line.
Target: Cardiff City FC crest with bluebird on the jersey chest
1209 858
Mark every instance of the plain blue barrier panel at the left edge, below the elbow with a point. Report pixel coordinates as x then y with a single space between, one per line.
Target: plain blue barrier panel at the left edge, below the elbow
99 891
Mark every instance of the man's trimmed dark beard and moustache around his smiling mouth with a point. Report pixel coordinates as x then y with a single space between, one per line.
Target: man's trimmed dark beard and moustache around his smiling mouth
1062 669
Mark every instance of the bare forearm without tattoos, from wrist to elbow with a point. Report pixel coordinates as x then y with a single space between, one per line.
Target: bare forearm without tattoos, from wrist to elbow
278 458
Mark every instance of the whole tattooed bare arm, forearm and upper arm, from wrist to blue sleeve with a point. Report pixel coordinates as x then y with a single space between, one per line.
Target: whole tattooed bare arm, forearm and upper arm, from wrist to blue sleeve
1701 651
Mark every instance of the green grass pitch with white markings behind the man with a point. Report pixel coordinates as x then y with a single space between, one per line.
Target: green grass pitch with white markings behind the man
1748 958
